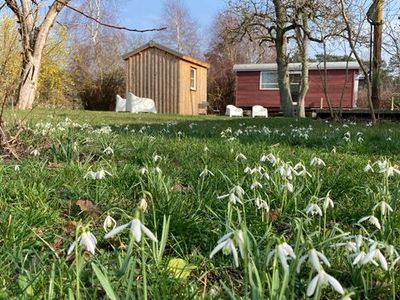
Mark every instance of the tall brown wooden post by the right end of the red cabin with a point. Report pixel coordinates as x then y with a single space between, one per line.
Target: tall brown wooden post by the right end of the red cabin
377 53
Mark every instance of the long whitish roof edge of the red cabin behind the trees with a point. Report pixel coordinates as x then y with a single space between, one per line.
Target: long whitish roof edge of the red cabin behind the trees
340 65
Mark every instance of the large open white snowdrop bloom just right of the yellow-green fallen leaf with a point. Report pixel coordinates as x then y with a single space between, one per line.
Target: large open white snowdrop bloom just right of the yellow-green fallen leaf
228 245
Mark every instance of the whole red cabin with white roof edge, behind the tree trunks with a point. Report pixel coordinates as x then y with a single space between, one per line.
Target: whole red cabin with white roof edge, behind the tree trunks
257 84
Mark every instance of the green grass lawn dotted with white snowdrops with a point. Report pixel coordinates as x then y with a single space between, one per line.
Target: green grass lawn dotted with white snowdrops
172 173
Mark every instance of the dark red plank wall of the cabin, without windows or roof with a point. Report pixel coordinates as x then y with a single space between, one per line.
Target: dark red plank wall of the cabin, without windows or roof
248 91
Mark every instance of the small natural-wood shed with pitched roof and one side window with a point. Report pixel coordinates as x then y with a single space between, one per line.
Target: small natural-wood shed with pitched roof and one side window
176 82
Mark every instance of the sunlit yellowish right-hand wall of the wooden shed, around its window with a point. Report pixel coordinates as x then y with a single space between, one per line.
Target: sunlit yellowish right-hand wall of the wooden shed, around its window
191 102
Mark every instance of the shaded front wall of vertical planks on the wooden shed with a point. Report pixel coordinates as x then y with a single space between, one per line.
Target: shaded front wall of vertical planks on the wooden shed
154 74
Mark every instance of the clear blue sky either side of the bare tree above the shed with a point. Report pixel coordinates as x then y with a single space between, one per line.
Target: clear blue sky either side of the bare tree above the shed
146 13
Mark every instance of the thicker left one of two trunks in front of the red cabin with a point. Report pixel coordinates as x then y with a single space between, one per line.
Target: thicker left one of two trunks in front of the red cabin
282 60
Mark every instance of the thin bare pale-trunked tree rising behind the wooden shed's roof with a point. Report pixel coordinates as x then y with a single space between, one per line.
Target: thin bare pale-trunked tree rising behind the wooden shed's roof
182 31
